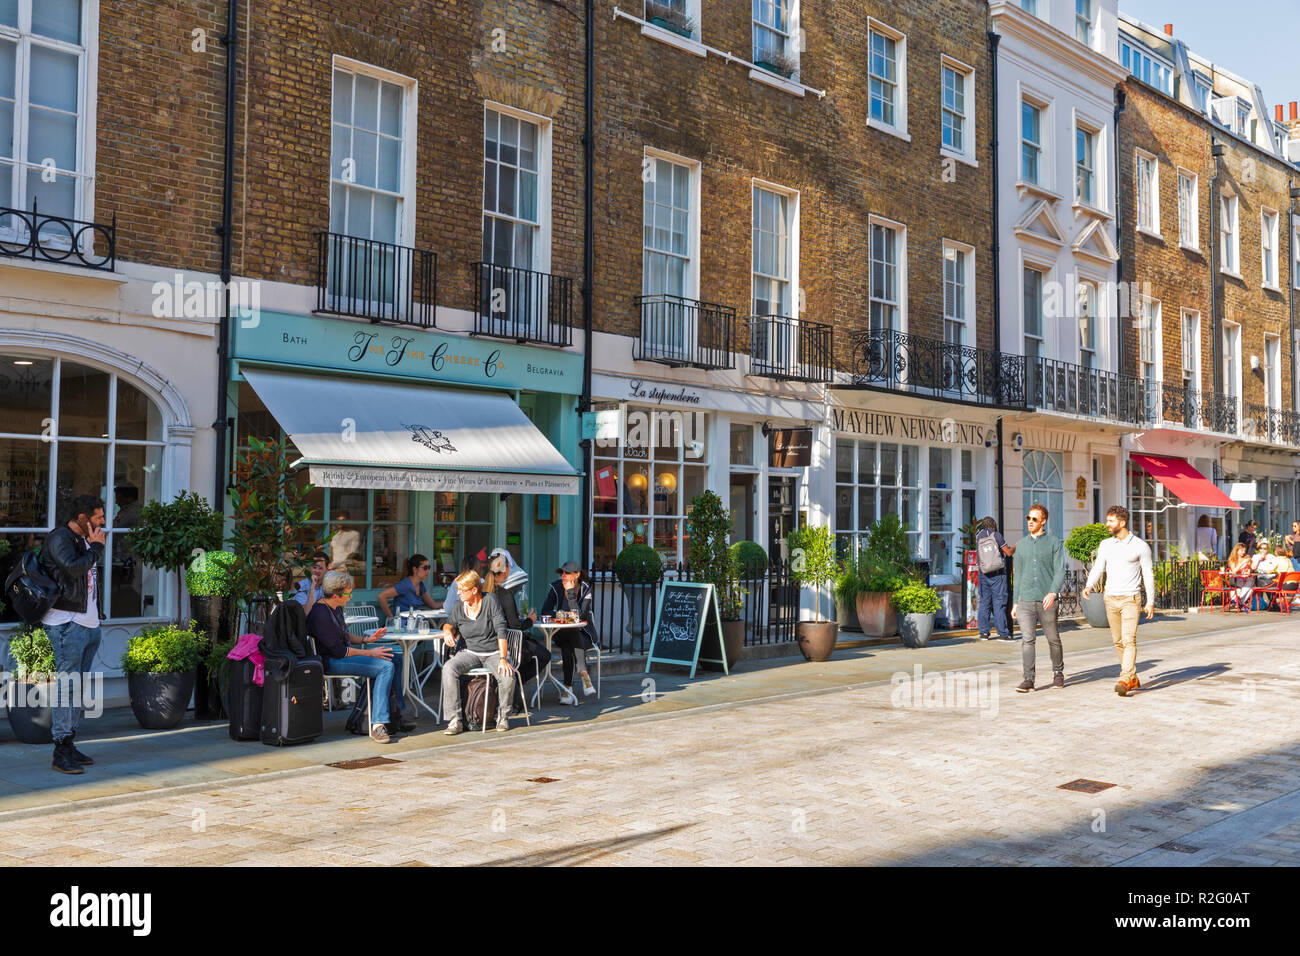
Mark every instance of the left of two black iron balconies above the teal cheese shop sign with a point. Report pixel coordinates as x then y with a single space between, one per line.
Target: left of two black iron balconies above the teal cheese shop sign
376 280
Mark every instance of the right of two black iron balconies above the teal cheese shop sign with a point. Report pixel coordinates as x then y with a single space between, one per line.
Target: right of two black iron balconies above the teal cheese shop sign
523 305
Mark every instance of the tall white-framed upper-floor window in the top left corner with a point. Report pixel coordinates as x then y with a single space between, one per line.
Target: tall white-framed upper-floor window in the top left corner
47 97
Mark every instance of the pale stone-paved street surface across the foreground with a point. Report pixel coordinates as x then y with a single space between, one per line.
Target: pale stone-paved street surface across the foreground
834 778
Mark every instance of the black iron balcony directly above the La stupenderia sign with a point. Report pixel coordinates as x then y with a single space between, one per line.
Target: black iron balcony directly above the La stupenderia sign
681 332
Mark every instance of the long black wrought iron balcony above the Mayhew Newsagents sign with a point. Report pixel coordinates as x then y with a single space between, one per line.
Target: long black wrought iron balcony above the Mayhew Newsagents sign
902 362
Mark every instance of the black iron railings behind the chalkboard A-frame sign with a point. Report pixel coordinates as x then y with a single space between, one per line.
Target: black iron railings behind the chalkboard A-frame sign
623 609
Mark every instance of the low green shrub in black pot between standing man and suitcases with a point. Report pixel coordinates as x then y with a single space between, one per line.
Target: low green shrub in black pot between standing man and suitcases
159 664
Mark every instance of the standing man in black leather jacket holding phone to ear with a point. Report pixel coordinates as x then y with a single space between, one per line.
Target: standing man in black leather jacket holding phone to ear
72 555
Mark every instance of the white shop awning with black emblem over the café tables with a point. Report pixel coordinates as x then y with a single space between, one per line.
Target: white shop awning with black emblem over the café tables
357 434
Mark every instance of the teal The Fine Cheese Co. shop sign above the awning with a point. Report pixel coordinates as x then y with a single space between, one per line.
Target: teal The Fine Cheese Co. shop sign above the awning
335 344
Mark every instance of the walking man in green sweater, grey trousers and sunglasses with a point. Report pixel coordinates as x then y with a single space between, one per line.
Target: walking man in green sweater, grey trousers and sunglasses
1039 576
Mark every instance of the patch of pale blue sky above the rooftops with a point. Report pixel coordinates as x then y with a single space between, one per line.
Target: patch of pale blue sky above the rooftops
1255 40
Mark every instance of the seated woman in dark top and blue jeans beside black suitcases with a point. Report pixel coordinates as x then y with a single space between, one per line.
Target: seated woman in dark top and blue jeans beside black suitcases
326 625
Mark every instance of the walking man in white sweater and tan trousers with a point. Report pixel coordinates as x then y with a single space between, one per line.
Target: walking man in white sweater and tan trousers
1125 560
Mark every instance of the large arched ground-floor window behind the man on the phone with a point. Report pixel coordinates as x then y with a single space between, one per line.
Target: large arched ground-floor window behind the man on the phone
76 430
